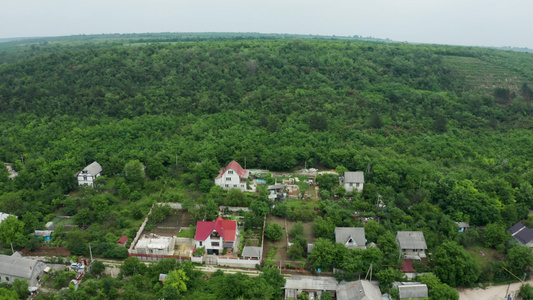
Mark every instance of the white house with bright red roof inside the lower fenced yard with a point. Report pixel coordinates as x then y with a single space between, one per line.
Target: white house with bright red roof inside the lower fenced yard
216 235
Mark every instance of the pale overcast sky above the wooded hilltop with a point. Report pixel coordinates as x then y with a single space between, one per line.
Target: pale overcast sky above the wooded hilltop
457 22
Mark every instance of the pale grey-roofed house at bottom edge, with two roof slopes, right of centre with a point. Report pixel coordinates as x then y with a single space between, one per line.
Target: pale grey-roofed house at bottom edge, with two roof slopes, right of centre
358 290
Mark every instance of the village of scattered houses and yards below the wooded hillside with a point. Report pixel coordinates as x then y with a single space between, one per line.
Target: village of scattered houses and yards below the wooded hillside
225 243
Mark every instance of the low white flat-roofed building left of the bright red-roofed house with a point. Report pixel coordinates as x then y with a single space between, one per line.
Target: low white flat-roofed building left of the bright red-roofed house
153 245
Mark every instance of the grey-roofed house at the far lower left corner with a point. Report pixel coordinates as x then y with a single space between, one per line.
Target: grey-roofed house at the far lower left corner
18 267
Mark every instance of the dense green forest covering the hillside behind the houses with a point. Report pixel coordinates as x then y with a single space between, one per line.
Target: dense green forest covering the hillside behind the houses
443 133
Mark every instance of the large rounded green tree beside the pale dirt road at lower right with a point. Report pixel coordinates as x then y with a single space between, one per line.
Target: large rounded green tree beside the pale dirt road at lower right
455 266
